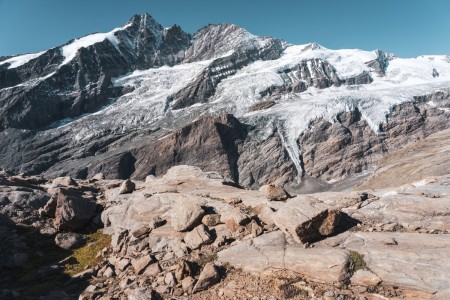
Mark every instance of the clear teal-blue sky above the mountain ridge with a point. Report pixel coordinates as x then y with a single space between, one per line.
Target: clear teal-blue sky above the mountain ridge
406 27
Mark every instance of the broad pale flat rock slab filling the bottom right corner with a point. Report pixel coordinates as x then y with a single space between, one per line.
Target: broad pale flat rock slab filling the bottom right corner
410 260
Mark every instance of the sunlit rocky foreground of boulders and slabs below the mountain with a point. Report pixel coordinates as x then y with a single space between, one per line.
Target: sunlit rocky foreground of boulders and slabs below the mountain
191 234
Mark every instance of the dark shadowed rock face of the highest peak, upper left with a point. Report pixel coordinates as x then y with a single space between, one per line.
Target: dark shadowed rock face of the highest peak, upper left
84 83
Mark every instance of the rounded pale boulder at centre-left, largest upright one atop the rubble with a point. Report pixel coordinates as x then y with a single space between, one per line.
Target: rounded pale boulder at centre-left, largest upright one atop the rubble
186 213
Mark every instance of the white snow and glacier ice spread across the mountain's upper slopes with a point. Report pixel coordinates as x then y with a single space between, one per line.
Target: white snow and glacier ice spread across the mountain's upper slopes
292 114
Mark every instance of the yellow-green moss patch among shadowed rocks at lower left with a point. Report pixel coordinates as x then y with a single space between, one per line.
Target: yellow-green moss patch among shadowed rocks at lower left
86 256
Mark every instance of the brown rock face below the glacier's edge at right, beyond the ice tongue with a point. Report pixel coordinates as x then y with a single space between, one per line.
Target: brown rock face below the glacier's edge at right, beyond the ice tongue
349 146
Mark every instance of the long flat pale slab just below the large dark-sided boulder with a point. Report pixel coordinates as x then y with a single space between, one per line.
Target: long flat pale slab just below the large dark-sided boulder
271 252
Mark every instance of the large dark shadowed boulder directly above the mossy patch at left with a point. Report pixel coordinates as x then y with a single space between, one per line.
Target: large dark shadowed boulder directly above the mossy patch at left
73 210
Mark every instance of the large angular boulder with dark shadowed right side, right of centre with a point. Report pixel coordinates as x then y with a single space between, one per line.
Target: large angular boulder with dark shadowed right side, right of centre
306 219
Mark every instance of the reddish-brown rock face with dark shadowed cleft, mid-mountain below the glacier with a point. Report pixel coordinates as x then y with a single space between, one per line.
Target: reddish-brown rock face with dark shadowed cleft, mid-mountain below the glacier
209 143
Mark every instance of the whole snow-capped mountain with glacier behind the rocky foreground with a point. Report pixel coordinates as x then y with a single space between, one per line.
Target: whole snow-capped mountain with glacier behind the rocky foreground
142 98
